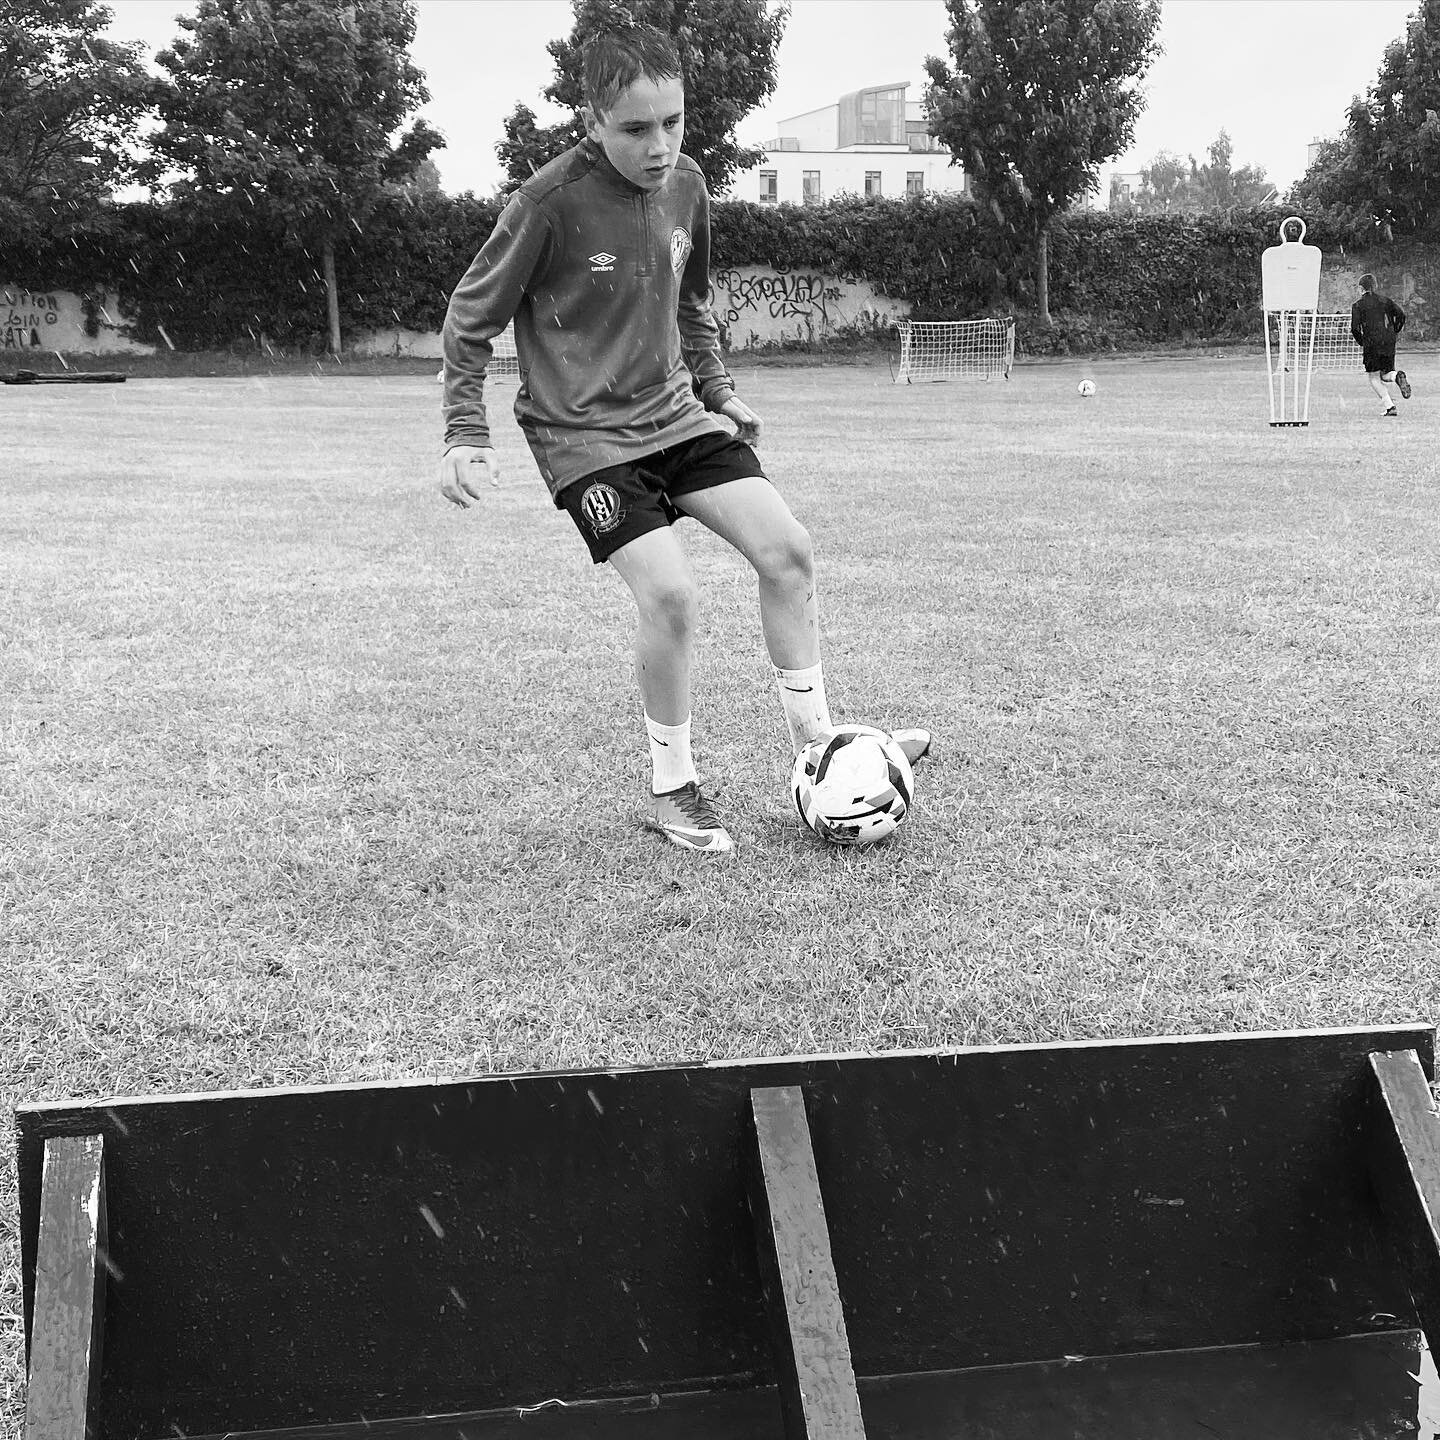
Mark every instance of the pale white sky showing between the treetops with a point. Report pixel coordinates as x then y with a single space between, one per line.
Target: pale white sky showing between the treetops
1275 74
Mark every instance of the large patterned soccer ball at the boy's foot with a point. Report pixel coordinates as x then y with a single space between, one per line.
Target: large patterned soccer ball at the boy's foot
853 786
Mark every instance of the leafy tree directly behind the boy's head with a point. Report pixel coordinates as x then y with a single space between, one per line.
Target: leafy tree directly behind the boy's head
726 54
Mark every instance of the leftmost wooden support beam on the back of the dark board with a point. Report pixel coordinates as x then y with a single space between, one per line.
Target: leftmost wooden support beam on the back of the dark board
70 1292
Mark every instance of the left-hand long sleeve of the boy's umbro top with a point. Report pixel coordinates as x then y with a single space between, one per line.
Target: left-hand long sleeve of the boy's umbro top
482 306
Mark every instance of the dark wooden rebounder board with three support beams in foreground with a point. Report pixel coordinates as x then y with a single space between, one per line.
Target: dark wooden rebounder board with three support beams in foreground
803 1248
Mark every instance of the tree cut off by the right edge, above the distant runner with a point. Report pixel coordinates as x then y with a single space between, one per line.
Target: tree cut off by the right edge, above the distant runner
1386 165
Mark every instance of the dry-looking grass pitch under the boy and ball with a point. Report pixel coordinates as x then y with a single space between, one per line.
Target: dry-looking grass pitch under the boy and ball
307 775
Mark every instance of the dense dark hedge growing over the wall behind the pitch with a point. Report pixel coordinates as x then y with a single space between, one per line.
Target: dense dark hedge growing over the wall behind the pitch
211 283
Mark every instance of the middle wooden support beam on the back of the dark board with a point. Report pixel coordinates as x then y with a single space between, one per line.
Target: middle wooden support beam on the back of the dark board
817 1379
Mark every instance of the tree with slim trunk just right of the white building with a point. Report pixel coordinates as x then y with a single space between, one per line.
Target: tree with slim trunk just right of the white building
1040 96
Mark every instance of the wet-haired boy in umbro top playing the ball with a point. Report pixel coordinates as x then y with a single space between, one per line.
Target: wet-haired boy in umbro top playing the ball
603 260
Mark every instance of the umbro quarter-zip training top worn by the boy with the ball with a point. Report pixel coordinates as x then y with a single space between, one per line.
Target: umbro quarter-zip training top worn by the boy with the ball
608 287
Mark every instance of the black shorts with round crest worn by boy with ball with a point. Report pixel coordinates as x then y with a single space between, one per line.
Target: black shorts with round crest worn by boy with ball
621 503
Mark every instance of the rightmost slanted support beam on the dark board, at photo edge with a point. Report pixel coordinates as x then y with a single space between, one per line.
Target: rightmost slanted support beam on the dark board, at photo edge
1405 1170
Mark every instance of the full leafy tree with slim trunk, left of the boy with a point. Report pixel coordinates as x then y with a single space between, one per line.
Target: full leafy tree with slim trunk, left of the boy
290 107
